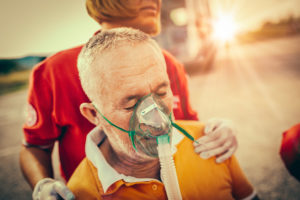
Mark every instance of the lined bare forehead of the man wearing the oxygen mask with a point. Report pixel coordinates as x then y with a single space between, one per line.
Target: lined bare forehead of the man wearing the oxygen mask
131 68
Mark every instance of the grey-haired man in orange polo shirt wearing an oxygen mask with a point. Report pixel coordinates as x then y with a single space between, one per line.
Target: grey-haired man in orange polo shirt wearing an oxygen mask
123 73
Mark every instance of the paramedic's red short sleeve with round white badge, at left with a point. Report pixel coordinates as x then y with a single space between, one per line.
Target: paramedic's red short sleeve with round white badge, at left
40 127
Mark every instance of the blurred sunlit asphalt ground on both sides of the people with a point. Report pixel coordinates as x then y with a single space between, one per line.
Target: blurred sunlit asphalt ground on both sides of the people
256 86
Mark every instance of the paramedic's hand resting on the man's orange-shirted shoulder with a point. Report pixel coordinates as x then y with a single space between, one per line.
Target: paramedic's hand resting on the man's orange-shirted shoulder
219 140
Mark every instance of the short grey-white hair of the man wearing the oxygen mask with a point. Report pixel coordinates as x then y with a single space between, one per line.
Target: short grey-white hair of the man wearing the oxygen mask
101 43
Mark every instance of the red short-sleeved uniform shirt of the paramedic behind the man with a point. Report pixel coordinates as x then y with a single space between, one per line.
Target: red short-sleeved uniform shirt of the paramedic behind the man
55 94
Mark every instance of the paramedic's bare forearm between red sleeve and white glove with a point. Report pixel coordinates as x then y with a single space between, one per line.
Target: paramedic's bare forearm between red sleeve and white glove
35 164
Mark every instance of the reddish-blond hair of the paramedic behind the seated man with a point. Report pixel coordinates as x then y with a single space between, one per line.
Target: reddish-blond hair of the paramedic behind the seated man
106 10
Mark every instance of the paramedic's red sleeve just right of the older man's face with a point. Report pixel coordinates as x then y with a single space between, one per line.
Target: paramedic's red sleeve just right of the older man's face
182 108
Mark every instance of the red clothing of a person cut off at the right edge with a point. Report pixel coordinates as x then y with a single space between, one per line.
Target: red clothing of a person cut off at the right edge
290 150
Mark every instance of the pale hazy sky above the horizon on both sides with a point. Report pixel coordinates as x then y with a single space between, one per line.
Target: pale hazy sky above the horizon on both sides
43 27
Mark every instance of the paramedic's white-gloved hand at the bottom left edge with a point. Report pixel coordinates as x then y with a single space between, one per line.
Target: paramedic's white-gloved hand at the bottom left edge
50 189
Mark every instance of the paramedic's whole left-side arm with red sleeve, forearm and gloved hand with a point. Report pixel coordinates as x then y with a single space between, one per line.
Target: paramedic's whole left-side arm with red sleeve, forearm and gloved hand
40 129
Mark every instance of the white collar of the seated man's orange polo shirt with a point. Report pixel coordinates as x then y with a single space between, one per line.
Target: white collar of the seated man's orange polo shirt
111 176
